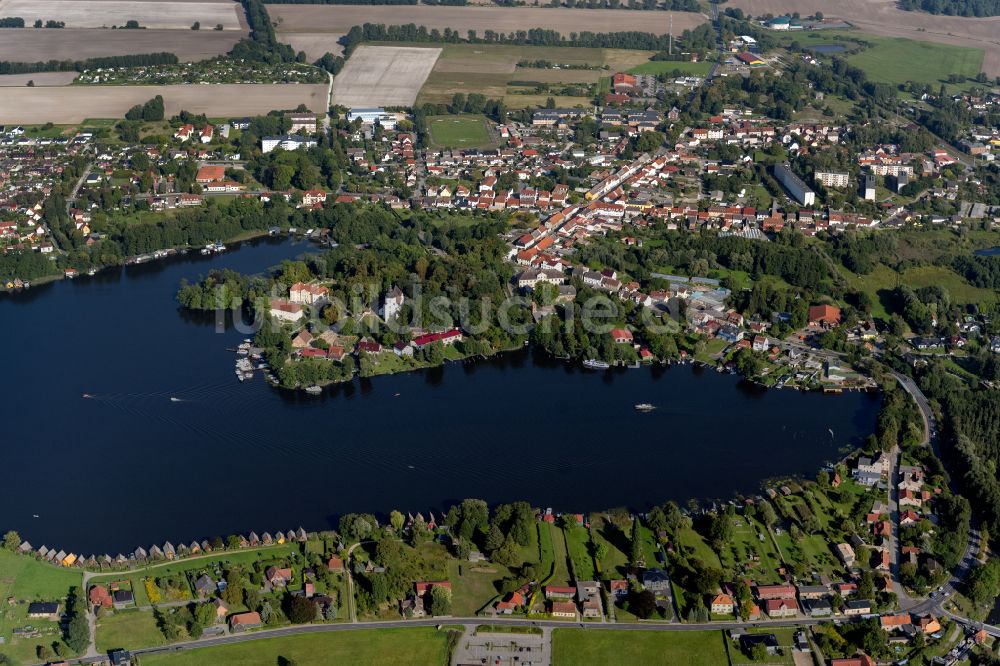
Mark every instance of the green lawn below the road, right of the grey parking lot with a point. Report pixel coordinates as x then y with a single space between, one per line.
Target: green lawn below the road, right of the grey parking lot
695 648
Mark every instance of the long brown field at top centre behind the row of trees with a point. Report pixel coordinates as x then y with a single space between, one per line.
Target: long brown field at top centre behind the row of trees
341 18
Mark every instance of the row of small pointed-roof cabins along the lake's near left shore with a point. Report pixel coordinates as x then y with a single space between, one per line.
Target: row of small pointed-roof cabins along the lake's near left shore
165 552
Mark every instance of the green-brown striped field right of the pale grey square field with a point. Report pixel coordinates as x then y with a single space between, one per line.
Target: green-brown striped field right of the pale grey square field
492 69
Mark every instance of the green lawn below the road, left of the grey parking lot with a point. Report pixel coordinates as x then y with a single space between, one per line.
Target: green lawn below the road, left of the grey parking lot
384 647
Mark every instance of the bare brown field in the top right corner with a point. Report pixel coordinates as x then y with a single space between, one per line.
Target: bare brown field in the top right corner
882 17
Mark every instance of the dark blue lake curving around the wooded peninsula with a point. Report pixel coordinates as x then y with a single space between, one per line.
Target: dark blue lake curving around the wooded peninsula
130 467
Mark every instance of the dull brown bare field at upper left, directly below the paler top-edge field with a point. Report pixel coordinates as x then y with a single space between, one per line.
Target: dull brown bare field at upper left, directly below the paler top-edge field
30 45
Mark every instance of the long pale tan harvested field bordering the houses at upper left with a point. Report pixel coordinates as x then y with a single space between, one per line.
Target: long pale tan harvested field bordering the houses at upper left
71 104
